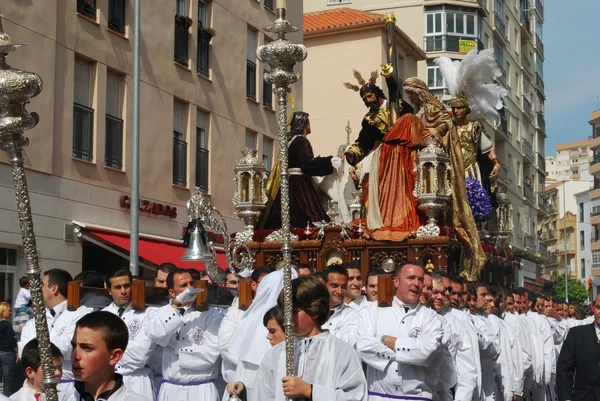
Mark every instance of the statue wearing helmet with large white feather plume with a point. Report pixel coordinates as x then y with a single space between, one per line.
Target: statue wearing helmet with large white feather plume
473 94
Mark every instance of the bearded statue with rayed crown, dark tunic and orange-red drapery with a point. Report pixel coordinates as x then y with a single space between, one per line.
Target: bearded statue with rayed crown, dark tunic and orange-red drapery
384 156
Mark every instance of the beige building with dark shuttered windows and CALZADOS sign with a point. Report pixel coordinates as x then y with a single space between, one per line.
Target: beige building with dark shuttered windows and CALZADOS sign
202 100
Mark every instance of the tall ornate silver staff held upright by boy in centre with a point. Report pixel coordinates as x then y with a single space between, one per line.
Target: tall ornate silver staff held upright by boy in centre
282 55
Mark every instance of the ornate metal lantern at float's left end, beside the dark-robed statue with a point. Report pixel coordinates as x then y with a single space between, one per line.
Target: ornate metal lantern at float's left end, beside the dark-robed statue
250 198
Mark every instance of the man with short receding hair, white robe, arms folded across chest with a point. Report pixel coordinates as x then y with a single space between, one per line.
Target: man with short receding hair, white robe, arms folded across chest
400 343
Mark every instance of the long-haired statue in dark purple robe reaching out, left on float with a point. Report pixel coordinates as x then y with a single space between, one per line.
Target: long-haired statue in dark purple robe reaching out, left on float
304 202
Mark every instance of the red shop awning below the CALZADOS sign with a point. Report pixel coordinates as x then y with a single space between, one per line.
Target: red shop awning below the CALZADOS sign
153 250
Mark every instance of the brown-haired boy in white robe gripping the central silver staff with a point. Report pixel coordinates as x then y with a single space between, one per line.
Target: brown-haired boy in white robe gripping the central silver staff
326 368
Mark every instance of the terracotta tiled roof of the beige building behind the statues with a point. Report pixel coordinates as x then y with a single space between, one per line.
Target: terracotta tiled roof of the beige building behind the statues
339 17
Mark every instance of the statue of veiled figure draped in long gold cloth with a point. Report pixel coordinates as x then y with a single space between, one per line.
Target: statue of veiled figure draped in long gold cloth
438 122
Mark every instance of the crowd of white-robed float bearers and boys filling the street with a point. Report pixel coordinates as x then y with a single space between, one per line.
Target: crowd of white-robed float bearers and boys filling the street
441 339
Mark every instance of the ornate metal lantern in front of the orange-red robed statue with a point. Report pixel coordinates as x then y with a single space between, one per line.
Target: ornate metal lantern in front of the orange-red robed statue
433 185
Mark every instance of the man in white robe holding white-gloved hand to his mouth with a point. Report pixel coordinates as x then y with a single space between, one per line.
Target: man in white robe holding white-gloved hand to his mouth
189 337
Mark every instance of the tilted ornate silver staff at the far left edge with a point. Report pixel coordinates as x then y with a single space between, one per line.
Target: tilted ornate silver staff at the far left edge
16 88
